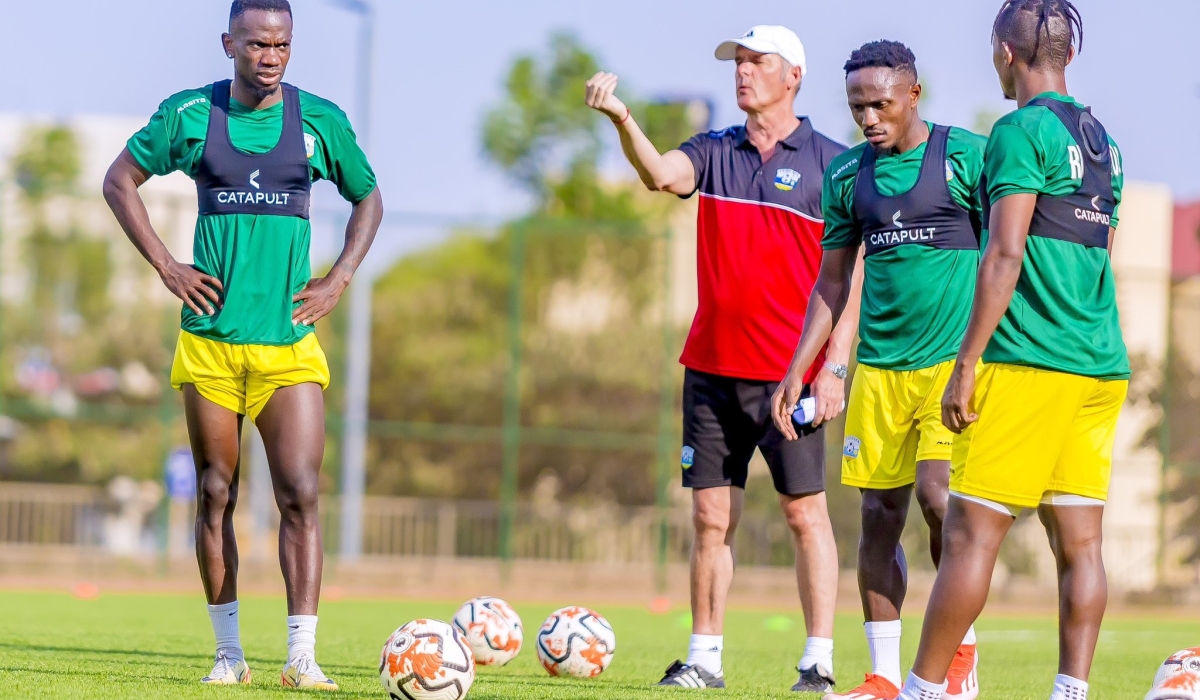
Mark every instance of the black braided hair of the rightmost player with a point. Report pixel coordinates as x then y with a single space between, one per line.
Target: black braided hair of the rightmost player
1040 33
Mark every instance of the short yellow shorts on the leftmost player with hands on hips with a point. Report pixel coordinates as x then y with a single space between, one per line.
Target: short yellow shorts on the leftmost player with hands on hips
243 378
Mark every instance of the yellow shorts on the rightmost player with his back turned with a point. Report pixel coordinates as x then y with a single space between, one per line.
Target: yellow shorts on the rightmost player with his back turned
1039 433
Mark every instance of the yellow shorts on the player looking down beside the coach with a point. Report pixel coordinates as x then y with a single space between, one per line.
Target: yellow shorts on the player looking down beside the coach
895 421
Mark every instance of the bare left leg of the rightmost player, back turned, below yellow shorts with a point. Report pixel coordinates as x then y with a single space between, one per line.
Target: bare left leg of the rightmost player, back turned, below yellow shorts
973 535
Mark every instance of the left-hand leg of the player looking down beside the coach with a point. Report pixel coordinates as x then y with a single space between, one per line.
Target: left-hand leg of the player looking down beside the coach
883 570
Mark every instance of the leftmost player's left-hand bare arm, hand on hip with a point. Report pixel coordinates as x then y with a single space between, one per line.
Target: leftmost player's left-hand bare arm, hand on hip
201 292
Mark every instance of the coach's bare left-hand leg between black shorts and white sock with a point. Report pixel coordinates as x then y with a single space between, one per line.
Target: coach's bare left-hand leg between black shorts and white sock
716 514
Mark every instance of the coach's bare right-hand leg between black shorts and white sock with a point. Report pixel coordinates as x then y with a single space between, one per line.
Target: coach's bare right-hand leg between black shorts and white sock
817 560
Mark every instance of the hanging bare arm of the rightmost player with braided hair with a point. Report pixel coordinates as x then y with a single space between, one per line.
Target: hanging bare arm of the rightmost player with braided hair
999 272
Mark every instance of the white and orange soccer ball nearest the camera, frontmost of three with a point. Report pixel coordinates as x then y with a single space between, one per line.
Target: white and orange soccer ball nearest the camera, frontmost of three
427 660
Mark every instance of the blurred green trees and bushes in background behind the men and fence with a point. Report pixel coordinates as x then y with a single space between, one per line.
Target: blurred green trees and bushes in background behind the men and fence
85 378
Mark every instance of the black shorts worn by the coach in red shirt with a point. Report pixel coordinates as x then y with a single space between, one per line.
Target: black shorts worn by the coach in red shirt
725 420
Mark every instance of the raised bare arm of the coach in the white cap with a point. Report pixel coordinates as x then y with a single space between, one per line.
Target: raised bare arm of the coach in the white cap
670 172
